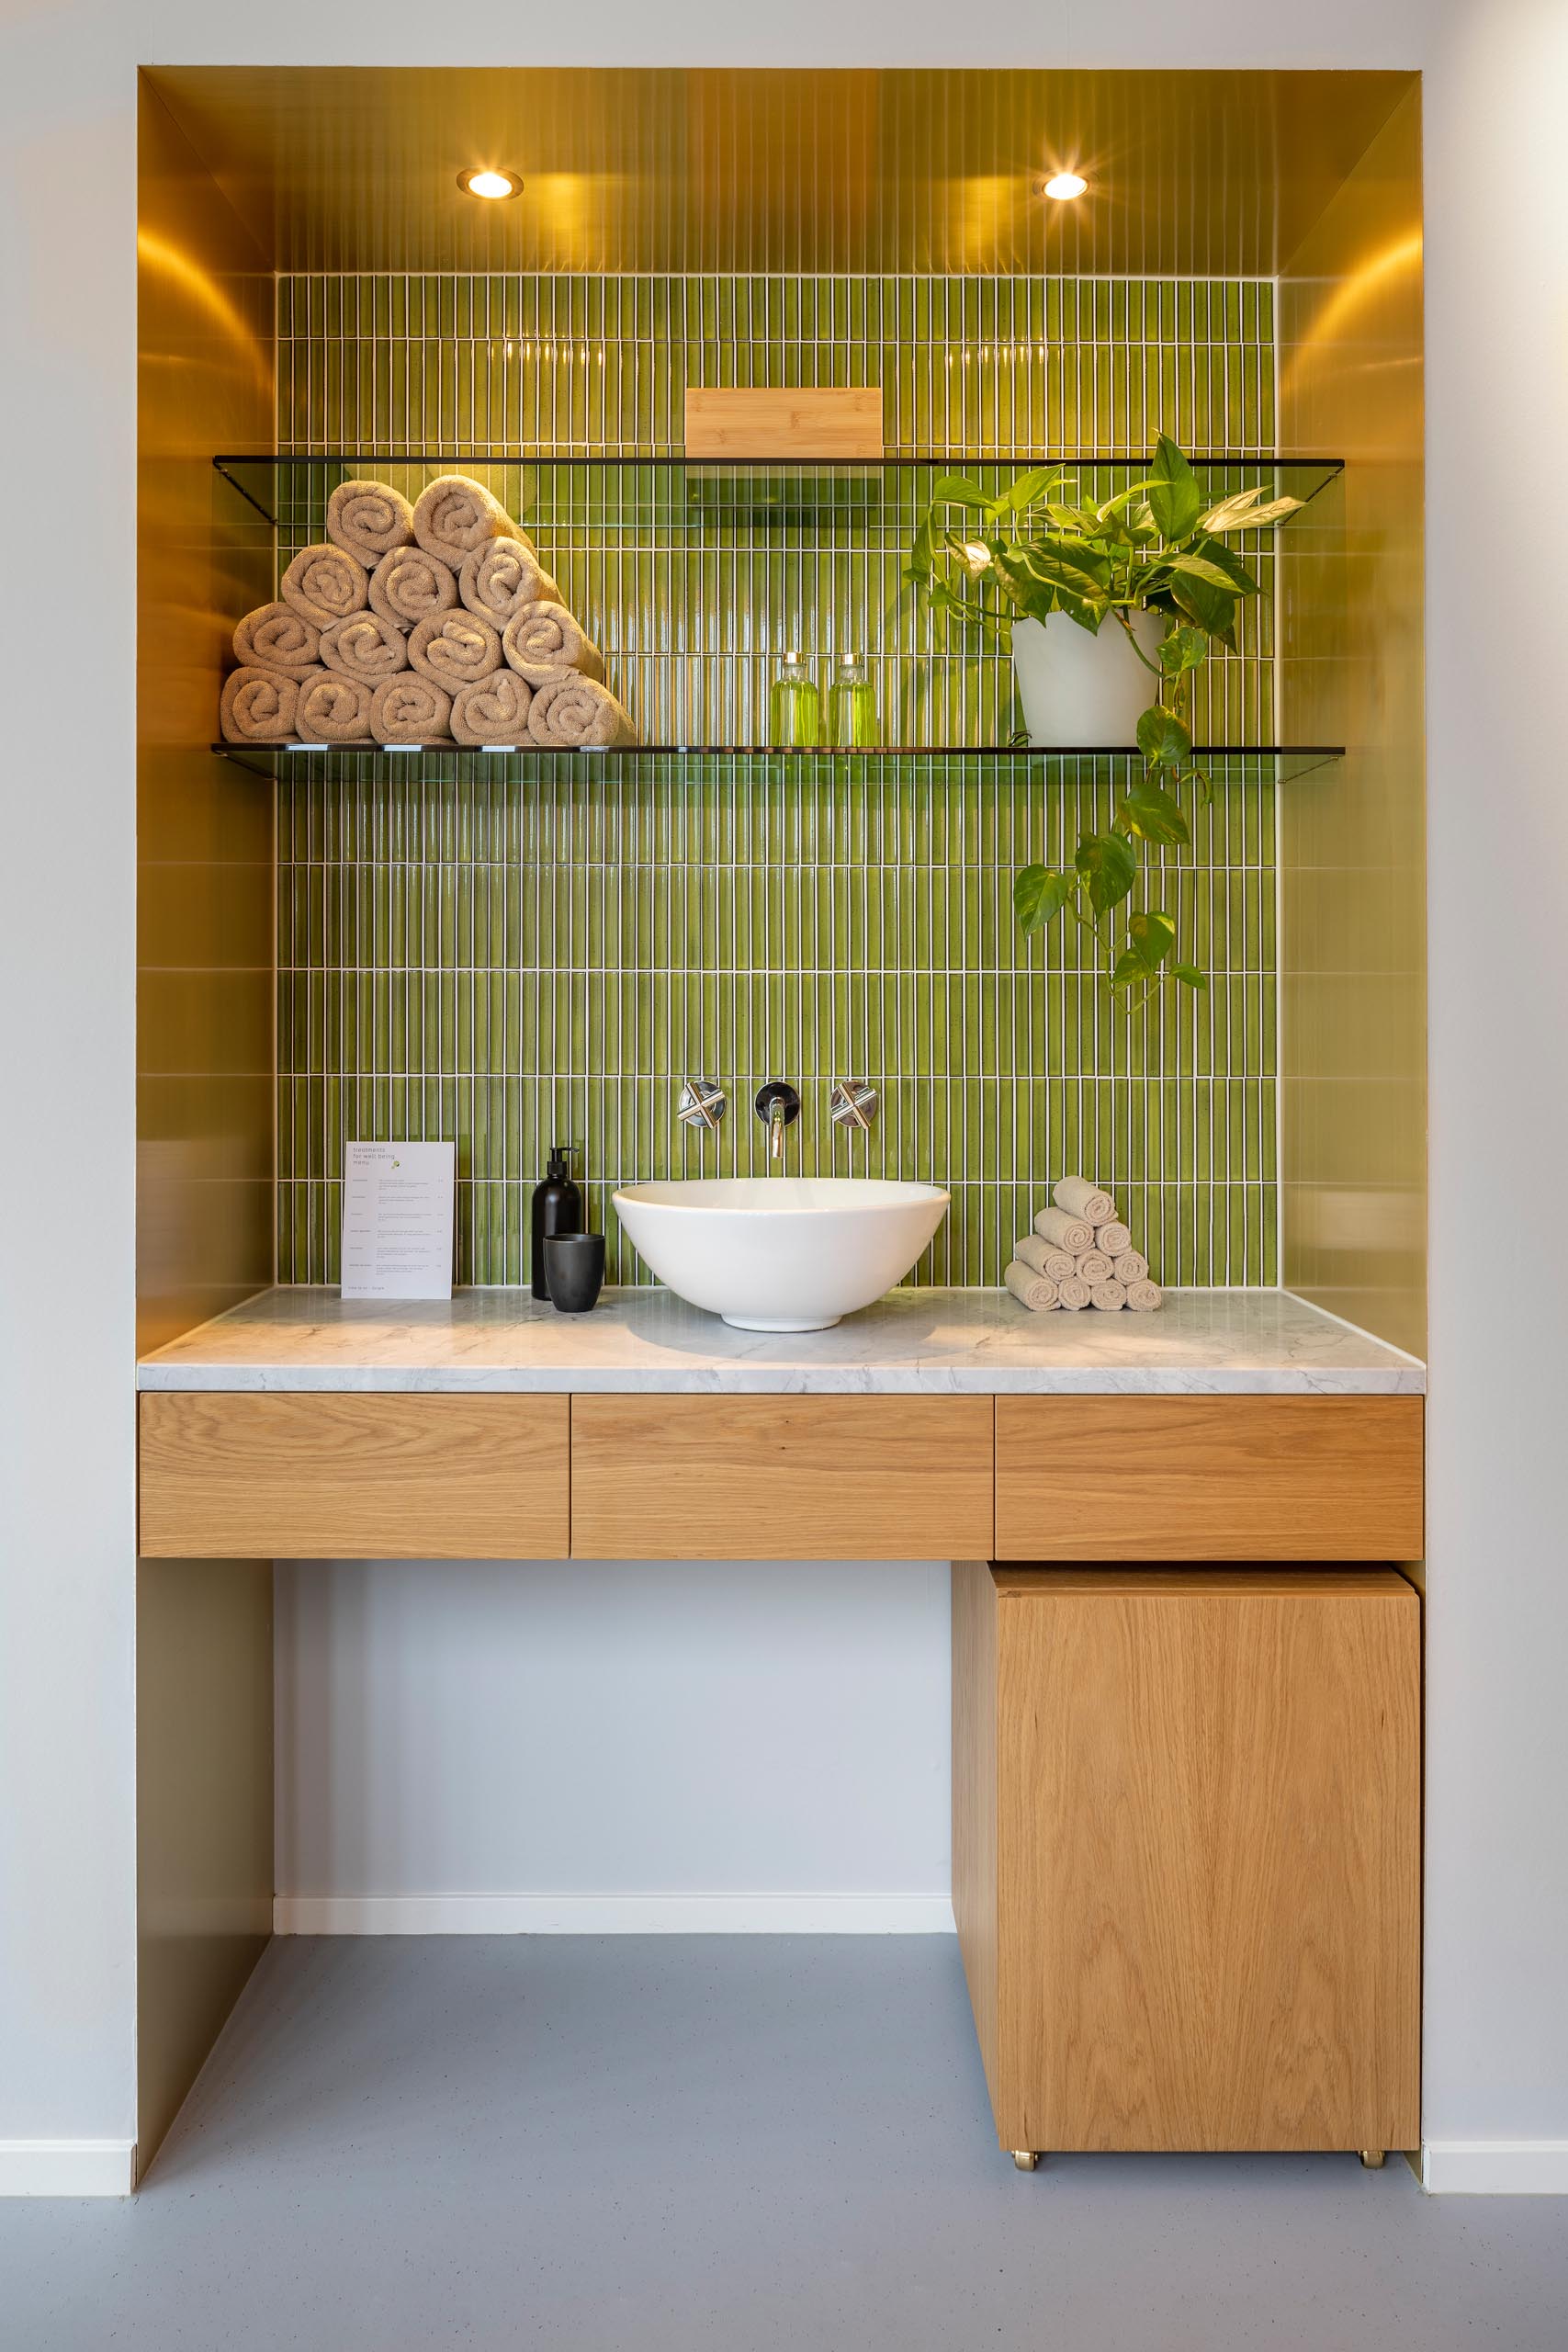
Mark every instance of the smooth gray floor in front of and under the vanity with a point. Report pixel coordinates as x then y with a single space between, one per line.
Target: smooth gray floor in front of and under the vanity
716 2144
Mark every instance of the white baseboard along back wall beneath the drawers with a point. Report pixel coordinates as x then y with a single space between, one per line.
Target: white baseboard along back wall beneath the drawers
612 1916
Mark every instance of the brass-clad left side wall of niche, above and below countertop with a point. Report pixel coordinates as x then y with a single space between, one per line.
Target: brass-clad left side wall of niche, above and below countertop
206 1095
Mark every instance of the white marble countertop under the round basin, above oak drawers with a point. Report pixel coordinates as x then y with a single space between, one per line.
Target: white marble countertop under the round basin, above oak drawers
909 1344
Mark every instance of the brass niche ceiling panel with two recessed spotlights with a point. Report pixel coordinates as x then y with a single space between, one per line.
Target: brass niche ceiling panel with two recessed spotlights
779 171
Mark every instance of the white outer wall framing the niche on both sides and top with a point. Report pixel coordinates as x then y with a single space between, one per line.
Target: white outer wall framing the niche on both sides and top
1499 361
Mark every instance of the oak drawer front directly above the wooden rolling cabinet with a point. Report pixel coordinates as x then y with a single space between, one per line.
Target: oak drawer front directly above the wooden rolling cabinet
1209 1478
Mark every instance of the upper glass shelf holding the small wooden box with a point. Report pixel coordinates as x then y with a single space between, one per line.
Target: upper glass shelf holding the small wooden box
547 486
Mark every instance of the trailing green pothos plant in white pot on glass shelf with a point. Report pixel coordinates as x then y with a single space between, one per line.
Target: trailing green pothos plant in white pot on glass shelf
1155 568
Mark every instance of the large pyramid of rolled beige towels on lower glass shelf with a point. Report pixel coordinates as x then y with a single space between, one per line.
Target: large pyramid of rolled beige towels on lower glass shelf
420 624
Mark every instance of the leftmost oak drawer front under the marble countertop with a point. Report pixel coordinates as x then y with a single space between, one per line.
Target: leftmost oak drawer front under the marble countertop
354 1478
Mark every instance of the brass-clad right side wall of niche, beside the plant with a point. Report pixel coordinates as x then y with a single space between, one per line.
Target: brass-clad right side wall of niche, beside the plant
1353 857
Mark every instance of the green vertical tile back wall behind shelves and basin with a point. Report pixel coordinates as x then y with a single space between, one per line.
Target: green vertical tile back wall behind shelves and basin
544 951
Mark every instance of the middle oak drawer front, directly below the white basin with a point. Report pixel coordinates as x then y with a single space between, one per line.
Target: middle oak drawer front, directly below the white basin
782 1478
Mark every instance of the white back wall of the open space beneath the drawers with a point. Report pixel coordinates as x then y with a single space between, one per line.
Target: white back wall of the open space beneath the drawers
676 1742
